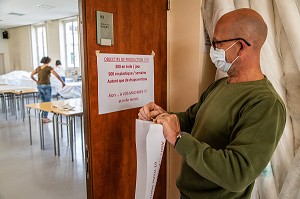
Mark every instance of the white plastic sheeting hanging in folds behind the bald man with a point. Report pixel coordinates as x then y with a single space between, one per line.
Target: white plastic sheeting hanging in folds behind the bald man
280 62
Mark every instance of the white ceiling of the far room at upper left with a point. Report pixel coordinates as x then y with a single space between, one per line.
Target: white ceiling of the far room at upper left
15 13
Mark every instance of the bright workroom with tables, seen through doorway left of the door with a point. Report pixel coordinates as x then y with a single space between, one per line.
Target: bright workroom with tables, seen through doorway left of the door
31 30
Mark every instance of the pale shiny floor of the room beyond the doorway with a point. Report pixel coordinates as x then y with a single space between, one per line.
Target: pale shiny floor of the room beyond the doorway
27 172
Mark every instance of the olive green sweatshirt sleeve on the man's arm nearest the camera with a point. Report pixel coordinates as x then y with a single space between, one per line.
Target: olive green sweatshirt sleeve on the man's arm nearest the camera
253 141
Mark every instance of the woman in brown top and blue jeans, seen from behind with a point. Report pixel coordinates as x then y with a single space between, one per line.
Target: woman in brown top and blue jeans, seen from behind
43 83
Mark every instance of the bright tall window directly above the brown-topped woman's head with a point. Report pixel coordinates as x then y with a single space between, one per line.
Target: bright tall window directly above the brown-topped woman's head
41 42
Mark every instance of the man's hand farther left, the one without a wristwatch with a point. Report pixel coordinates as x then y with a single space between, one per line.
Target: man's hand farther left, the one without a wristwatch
150 111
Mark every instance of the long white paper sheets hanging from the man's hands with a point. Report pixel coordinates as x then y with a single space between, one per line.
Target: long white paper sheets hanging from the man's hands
150 144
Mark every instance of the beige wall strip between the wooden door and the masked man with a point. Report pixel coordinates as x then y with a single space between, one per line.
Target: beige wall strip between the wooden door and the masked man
190 70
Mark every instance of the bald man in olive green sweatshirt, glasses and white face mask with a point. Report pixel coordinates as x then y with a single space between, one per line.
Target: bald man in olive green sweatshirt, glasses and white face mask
229 136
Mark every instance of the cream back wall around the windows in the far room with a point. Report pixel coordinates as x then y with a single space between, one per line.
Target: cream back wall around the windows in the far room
18 52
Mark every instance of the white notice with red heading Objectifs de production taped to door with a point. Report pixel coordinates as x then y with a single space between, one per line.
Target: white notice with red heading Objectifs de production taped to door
124 81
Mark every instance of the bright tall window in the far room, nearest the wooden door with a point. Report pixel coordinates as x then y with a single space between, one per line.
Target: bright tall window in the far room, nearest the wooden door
72 43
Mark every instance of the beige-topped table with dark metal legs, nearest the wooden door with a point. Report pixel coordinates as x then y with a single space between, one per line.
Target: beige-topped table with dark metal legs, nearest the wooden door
55 108
